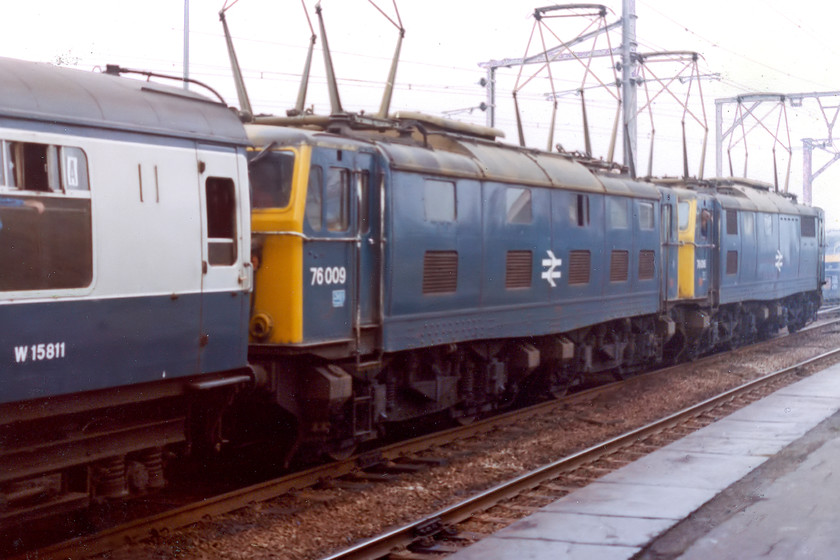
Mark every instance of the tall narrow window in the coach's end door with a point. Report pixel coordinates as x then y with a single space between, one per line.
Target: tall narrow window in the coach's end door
221 221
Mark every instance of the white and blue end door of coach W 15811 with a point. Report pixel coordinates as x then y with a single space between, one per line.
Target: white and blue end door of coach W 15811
225 281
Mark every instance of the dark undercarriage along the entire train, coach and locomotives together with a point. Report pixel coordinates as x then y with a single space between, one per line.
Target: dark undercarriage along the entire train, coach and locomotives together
113 444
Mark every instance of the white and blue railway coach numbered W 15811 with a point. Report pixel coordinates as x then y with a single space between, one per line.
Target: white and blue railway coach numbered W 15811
124 285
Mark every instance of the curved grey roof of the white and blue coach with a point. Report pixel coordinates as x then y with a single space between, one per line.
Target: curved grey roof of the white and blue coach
43 92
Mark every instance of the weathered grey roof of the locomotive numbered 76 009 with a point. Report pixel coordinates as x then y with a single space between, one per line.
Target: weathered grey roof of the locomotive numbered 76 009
462 156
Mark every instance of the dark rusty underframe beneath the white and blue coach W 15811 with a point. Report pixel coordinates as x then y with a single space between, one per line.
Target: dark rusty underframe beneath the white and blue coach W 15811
66 453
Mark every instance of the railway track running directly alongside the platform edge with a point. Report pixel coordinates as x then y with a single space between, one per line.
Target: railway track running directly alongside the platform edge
432 536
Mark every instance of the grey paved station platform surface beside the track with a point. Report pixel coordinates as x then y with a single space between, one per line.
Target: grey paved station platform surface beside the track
759 483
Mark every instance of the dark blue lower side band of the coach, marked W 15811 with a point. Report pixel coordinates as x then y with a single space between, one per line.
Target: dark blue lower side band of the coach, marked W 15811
118 342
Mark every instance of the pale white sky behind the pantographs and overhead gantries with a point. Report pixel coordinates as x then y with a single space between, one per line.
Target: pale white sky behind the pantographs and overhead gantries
755 45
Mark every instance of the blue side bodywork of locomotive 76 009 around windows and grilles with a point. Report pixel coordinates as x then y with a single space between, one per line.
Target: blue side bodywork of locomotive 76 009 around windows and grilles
482 307
